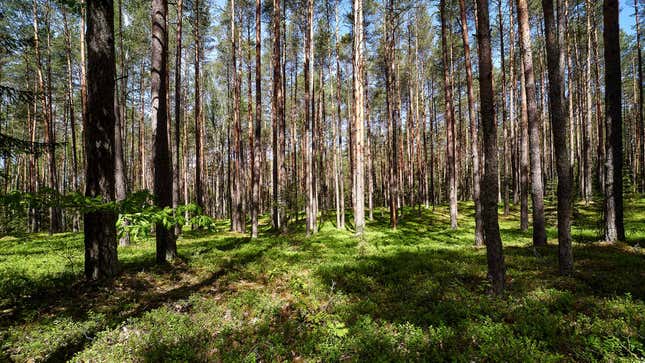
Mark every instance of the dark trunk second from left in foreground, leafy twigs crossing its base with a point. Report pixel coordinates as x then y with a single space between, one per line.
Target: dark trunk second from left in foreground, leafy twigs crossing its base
166 244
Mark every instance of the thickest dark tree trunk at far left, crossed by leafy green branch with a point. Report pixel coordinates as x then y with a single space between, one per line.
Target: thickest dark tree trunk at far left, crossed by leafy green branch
100 226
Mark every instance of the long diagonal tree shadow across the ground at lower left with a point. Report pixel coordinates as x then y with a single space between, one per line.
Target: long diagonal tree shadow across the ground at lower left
128 295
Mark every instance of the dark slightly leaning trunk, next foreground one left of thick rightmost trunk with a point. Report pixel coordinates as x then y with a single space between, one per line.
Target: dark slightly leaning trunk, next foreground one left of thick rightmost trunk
560 126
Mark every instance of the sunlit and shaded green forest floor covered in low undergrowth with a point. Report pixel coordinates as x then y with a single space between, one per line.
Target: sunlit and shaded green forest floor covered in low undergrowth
415 294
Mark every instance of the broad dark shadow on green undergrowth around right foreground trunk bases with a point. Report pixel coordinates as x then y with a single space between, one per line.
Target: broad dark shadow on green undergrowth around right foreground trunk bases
441 286
